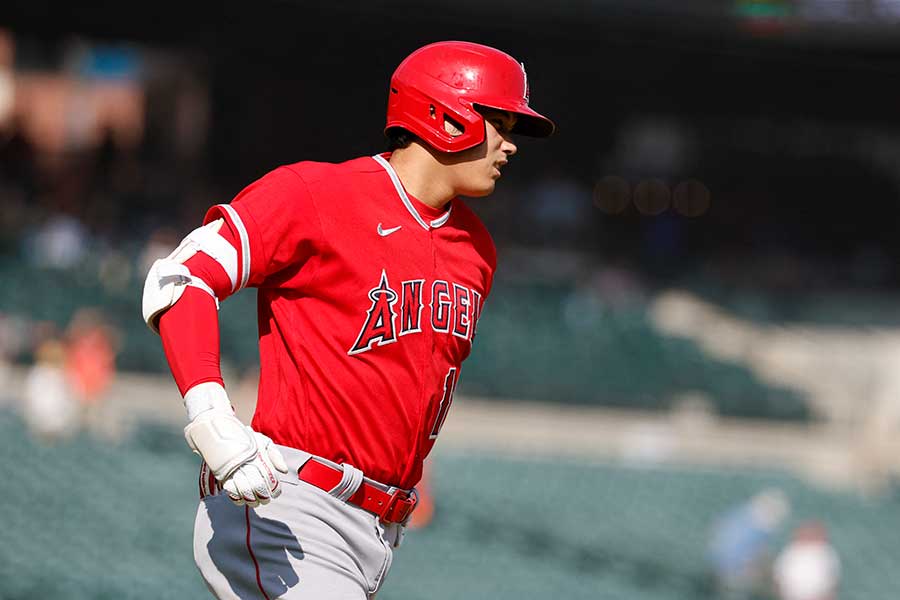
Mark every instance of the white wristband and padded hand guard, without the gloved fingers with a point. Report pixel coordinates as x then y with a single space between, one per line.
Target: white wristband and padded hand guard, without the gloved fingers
215 433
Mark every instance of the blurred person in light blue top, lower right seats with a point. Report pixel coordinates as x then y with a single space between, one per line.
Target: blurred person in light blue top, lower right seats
740 551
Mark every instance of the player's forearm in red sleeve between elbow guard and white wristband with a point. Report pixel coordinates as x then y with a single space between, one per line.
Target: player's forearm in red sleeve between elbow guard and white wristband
190 336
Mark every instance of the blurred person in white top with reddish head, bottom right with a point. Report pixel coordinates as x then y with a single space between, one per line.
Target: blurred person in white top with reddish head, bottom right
809 567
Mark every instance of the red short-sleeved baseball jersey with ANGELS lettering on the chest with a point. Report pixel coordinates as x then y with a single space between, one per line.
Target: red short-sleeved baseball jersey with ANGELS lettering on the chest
368 303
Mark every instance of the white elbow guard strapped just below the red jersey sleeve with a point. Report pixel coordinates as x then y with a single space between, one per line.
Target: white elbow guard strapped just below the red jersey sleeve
168 277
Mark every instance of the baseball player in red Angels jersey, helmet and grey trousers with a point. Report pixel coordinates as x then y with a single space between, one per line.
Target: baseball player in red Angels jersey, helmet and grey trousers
371 276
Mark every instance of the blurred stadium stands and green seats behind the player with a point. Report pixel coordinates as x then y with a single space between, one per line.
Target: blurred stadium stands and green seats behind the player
696 311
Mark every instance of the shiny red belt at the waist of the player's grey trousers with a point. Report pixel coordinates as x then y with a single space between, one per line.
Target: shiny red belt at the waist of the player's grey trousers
392 506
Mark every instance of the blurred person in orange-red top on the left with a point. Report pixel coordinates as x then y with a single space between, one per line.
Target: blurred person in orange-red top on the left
90 365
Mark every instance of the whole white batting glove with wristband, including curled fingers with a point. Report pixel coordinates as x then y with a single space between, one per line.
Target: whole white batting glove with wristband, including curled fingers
243 461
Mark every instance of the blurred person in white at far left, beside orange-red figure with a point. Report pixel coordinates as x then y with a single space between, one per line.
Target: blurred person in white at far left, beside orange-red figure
49 409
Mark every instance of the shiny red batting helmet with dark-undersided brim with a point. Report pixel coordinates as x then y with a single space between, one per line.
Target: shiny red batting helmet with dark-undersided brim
453 79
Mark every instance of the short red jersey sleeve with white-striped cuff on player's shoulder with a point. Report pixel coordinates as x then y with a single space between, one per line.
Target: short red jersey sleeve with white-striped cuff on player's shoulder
277 225
